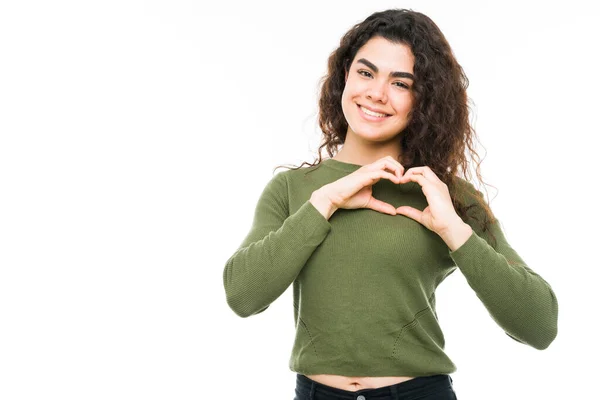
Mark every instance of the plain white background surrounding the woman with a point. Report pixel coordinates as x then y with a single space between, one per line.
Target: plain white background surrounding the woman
136 137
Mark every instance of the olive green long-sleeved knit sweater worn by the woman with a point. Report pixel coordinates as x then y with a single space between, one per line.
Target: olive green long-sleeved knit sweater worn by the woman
364 282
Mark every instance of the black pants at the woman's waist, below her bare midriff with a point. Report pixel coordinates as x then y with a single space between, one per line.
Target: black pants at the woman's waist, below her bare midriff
435 387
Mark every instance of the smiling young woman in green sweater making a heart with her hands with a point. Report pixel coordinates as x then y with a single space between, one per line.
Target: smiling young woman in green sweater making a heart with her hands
366 235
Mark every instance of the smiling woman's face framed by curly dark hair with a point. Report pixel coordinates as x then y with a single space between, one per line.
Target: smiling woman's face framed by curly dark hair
380 79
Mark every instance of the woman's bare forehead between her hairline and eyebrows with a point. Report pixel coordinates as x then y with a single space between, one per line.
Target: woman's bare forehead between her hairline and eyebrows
387 55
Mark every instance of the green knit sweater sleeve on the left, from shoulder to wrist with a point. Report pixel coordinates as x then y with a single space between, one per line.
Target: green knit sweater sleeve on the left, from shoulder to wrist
274 251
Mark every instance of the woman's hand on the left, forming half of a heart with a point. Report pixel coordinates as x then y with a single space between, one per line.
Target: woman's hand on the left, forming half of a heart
355 190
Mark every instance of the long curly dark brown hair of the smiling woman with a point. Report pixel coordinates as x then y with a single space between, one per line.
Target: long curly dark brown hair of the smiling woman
439 131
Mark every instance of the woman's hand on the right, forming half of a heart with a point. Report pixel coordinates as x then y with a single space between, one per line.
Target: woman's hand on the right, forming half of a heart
439 216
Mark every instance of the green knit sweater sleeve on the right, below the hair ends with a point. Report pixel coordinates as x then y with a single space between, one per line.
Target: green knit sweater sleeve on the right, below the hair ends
519 300
